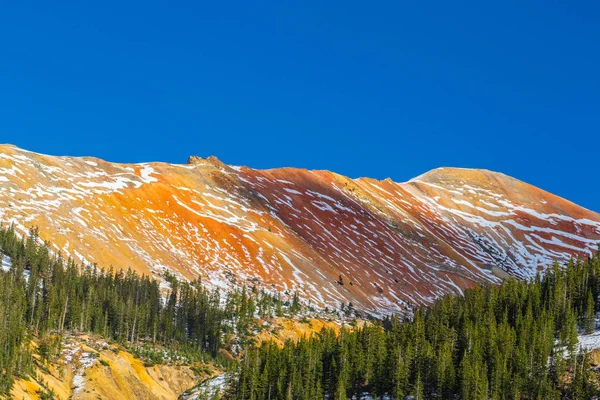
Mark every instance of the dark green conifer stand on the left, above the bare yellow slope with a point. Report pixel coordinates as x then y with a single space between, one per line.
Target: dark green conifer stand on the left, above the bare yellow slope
42 296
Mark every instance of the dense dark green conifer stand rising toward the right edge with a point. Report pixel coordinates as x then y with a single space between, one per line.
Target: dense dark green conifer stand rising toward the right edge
514 341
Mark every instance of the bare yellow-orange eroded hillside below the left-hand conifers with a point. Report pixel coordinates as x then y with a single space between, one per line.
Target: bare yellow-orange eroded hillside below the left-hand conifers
90 368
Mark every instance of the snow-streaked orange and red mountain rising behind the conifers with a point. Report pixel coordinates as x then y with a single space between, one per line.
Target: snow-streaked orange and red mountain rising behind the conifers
380 245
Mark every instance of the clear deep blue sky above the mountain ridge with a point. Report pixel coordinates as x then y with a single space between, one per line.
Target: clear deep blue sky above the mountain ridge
361 88
